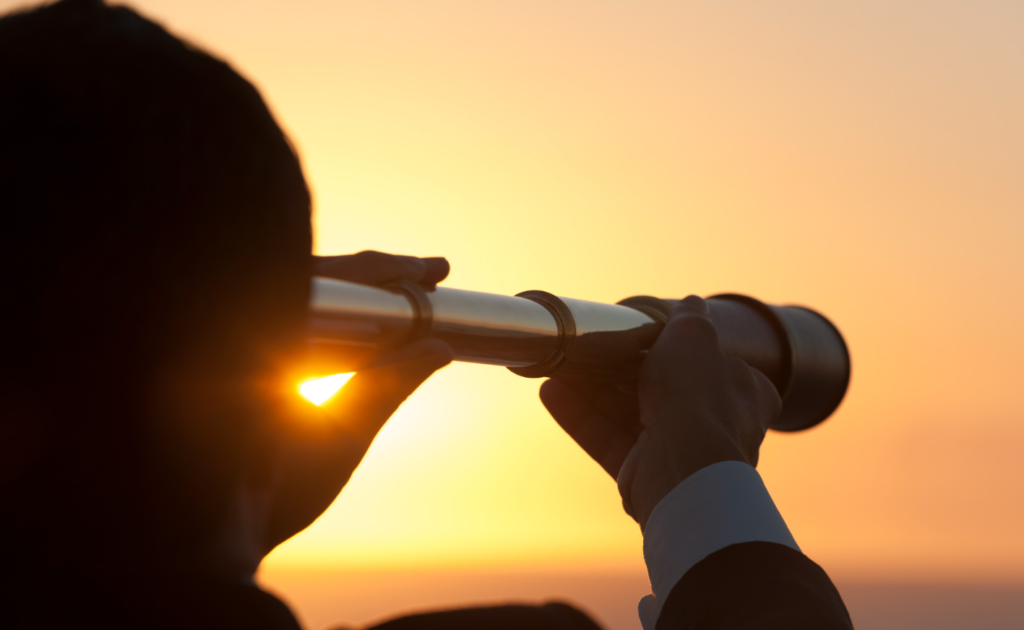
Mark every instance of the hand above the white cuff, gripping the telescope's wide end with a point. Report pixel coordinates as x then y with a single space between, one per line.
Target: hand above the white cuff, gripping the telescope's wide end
697 407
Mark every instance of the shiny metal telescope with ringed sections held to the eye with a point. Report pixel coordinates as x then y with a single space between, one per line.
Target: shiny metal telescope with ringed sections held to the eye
537 334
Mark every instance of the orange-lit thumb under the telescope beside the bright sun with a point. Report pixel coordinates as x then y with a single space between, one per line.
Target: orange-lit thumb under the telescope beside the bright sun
373 396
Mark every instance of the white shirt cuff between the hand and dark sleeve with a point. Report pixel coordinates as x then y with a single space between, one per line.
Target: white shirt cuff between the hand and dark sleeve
720 506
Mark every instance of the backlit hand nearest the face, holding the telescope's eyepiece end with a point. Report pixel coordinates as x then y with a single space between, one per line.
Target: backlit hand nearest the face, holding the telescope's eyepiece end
328 443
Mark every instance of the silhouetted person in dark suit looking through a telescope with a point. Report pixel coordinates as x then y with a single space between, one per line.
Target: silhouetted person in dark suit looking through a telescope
157 245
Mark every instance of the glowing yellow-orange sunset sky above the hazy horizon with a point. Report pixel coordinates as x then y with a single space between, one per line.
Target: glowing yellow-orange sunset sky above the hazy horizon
865 159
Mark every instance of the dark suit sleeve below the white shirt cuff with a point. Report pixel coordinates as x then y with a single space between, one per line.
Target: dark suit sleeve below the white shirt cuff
762 586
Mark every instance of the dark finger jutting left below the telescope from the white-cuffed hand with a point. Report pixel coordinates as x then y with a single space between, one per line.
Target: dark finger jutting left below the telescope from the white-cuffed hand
600 438
